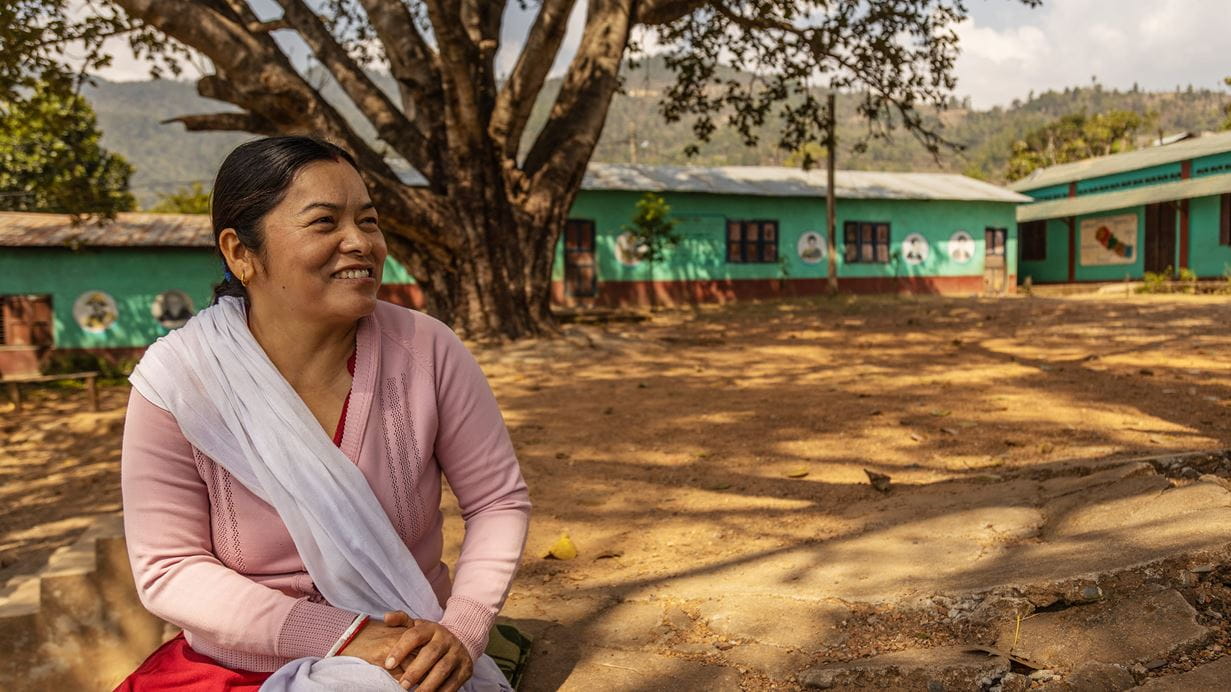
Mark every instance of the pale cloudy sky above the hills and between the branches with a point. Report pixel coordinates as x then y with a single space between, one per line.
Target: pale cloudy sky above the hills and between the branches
1009 50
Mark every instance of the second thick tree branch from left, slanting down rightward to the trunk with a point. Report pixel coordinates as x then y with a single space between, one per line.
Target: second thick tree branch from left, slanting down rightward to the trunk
392 126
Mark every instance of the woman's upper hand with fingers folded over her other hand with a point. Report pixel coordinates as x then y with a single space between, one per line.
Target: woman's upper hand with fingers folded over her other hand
443 663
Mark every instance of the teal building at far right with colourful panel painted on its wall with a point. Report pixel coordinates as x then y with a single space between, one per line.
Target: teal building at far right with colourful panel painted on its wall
1115 219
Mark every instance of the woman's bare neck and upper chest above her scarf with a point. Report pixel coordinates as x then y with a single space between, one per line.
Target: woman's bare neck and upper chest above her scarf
308 354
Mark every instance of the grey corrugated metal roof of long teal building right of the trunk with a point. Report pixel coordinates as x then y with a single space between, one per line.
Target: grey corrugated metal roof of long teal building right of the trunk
775 182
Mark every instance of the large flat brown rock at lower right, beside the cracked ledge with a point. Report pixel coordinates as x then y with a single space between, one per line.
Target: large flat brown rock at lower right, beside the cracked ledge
1126 632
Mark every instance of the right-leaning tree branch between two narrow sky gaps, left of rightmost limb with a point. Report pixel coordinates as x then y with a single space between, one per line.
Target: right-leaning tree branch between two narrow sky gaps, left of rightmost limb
516 100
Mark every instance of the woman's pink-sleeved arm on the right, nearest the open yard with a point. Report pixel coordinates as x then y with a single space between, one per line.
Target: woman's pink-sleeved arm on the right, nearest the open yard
477 456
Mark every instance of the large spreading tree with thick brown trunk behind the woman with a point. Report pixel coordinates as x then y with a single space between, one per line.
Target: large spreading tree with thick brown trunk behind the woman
481 236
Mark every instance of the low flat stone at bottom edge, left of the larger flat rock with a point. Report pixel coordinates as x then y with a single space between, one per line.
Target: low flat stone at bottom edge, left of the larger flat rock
951 668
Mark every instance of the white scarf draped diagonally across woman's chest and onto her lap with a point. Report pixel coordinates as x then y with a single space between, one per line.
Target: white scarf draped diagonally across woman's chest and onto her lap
235 406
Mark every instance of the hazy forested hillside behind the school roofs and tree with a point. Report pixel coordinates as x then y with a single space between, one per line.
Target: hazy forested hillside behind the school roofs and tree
167 157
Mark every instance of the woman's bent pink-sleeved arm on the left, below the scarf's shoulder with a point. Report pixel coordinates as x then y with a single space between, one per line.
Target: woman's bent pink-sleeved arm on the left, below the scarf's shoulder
179 578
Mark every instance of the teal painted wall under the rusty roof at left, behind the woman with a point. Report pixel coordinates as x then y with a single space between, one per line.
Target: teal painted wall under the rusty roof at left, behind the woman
132 276
